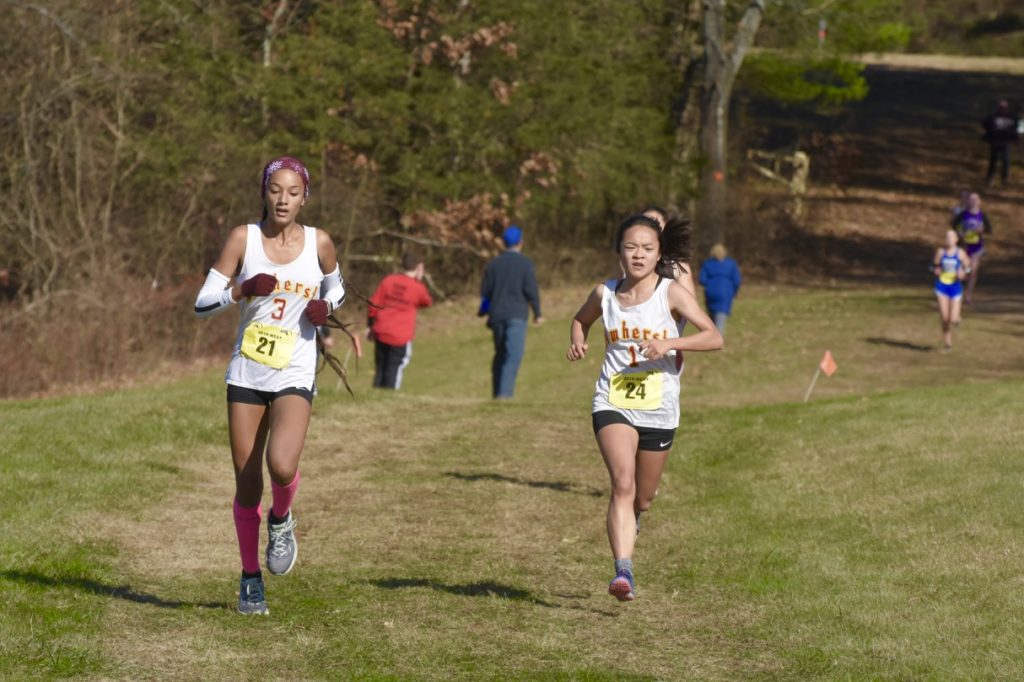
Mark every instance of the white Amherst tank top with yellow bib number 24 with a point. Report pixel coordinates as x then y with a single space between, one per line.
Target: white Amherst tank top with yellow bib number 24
646 392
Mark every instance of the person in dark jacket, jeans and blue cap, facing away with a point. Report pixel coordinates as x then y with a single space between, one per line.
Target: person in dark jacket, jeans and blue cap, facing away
508 292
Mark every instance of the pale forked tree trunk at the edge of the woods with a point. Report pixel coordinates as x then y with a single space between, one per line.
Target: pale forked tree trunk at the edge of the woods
721 67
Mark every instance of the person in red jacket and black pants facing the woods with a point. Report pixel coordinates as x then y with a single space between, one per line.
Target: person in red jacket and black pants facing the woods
393 320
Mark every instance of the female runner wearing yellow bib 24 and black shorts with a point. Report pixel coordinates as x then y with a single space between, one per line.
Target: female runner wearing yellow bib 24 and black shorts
636 400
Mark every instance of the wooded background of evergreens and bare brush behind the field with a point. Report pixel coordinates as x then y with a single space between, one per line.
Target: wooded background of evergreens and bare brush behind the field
133 136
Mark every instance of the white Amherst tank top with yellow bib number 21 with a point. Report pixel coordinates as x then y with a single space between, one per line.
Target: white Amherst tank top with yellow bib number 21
274 329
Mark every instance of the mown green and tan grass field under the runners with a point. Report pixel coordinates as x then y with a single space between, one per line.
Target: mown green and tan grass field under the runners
874 533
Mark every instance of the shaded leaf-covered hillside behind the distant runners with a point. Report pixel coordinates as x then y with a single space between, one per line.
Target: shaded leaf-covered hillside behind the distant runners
886 173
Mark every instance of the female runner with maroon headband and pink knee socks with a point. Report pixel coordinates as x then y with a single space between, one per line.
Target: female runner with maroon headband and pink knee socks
287 280
